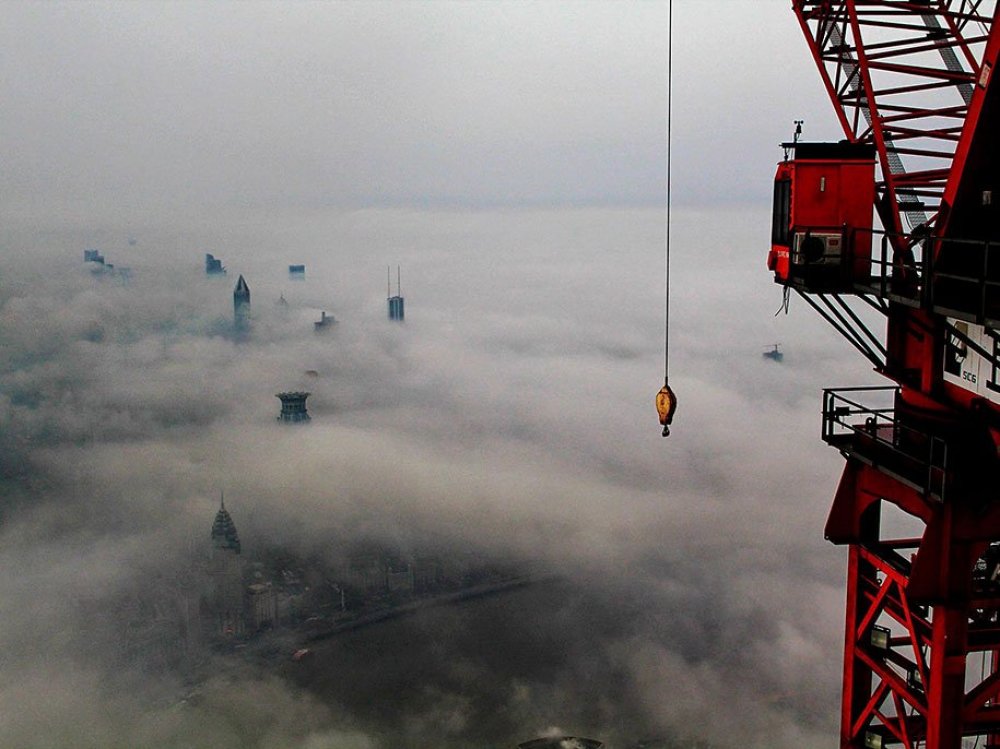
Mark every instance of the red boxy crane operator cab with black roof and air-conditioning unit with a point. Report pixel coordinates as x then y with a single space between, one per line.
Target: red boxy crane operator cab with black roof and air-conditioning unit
821 229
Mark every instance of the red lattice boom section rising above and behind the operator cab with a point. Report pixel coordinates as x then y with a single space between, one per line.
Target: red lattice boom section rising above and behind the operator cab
901 75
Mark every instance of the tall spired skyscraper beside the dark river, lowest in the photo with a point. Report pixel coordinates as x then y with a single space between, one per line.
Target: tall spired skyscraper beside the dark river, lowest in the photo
225 573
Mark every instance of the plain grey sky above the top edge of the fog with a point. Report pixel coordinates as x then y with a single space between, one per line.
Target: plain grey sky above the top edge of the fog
147 107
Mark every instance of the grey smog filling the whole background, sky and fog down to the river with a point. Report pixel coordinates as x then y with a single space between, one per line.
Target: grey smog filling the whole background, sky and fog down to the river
479 536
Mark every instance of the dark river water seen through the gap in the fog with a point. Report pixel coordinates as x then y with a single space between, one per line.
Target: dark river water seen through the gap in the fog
488 672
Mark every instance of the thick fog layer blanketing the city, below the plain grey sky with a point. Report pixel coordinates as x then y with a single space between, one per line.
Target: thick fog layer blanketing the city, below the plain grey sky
511 416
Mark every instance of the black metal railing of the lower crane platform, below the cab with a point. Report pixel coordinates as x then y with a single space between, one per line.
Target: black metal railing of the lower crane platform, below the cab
876 435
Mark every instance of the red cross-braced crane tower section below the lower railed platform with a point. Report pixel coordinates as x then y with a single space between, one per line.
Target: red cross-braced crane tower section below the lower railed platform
922 632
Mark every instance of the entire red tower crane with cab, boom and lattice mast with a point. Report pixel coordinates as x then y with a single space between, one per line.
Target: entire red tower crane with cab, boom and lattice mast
914 89
